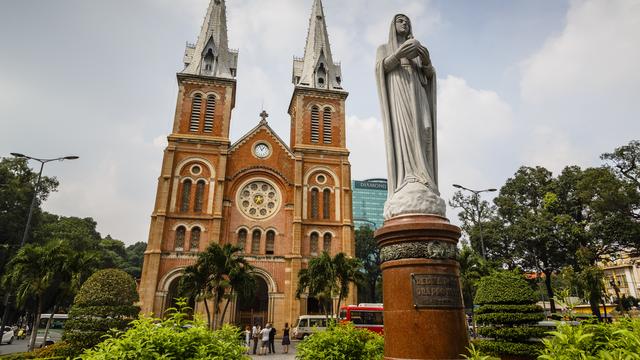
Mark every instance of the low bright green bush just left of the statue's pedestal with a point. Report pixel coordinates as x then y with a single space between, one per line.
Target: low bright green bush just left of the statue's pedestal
342 342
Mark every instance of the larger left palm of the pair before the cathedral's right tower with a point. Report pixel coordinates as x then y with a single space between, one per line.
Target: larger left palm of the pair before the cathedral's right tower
319 280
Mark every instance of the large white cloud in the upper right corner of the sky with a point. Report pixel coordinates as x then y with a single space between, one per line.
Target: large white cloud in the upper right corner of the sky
596 53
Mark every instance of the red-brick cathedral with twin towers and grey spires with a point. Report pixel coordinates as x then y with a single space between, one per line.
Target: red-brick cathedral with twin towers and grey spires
282 204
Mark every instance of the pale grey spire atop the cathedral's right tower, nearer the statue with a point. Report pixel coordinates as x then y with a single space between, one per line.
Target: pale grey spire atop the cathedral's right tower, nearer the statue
317 69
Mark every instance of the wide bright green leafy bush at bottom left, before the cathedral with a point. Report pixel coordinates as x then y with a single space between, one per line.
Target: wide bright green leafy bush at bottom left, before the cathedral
174 338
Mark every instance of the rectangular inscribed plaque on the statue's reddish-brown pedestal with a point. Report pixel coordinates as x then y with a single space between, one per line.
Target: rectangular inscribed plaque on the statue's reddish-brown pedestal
436 291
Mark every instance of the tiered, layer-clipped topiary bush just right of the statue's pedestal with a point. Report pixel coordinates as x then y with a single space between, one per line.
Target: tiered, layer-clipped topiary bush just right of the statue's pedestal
507 317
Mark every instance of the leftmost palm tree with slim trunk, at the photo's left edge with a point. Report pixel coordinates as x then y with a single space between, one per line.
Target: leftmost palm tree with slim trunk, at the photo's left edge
31 273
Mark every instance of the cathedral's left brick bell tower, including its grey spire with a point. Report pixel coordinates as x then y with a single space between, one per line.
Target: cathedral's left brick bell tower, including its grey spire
187 214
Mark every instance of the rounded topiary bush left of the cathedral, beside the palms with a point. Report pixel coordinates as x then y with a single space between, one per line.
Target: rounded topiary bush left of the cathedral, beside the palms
104 302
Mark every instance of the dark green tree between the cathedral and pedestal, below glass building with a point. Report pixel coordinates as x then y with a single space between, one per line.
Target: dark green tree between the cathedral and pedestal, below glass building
368 252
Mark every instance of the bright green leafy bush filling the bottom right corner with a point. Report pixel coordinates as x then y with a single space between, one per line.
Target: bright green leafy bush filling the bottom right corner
600 341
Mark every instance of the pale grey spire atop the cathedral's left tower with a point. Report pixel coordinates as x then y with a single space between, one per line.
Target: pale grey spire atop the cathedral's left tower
210 55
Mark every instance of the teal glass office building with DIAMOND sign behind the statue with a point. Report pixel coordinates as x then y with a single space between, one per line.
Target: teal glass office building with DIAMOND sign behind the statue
368 202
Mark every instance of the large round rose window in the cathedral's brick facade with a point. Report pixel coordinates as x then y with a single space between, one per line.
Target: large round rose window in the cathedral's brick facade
258 199
